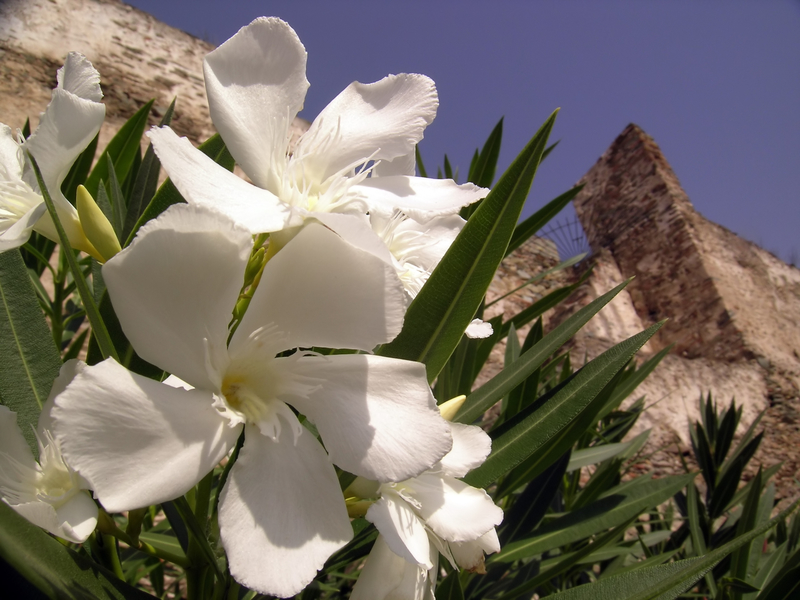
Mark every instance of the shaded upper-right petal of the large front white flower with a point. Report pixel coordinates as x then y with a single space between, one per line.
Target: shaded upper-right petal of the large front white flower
321 291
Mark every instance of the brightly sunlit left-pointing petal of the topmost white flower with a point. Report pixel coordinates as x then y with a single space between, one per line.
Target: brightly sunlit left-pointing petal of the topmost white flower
202 181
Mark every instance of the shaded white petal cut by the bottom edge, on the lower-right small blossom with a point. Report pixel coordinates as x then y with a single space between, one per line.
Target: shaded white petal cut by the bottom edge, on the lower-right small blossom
386 576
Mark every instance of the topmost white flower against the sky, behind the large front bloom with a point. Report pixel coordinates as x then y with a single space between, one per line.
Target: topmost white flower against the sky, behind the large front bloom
357 157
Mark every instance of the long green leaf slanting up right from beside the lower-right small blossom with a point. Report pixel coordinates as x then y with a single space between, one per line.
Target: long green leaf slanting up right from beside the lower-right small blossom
537 426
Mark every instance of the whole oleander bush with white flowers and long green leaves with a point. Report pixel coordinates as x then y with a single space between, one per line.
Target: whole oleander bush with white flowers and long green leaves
265 387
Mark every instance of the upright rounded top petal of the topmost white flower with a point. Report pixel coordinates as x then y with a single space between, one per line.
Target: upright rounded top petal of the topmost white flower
256 84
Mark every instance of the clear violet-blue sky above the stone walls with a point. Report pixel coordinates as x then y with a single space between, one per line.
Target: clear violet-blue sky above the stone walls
717 84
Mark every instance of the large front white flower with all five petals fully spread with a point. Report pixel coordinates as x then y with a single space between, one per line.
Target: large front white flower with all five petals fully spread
140 442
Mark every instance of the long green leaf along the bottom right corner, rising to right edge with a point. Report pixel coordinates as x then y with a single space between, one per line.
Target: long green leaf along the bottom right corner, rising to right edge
665 582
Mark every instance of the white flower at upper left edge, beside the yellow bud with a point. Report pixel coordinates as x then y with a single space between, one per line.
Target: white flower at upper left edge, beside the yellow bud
70 122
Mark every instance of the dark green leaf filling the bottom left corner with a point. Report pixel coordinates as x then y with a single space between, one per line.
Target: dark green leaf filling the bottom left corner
59 572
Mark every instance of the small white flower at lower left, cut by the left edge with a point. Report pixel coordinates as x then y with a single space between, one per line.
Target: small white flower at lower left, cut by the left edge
48 493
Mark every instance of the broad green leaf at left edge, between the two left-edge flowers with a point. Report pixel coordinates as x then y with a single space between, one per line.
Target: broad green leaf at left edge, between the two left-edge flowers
28 353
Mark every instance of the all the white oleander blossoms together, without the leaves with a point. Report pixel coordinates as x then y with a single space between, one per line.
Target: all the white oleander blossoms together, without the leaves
291 382
